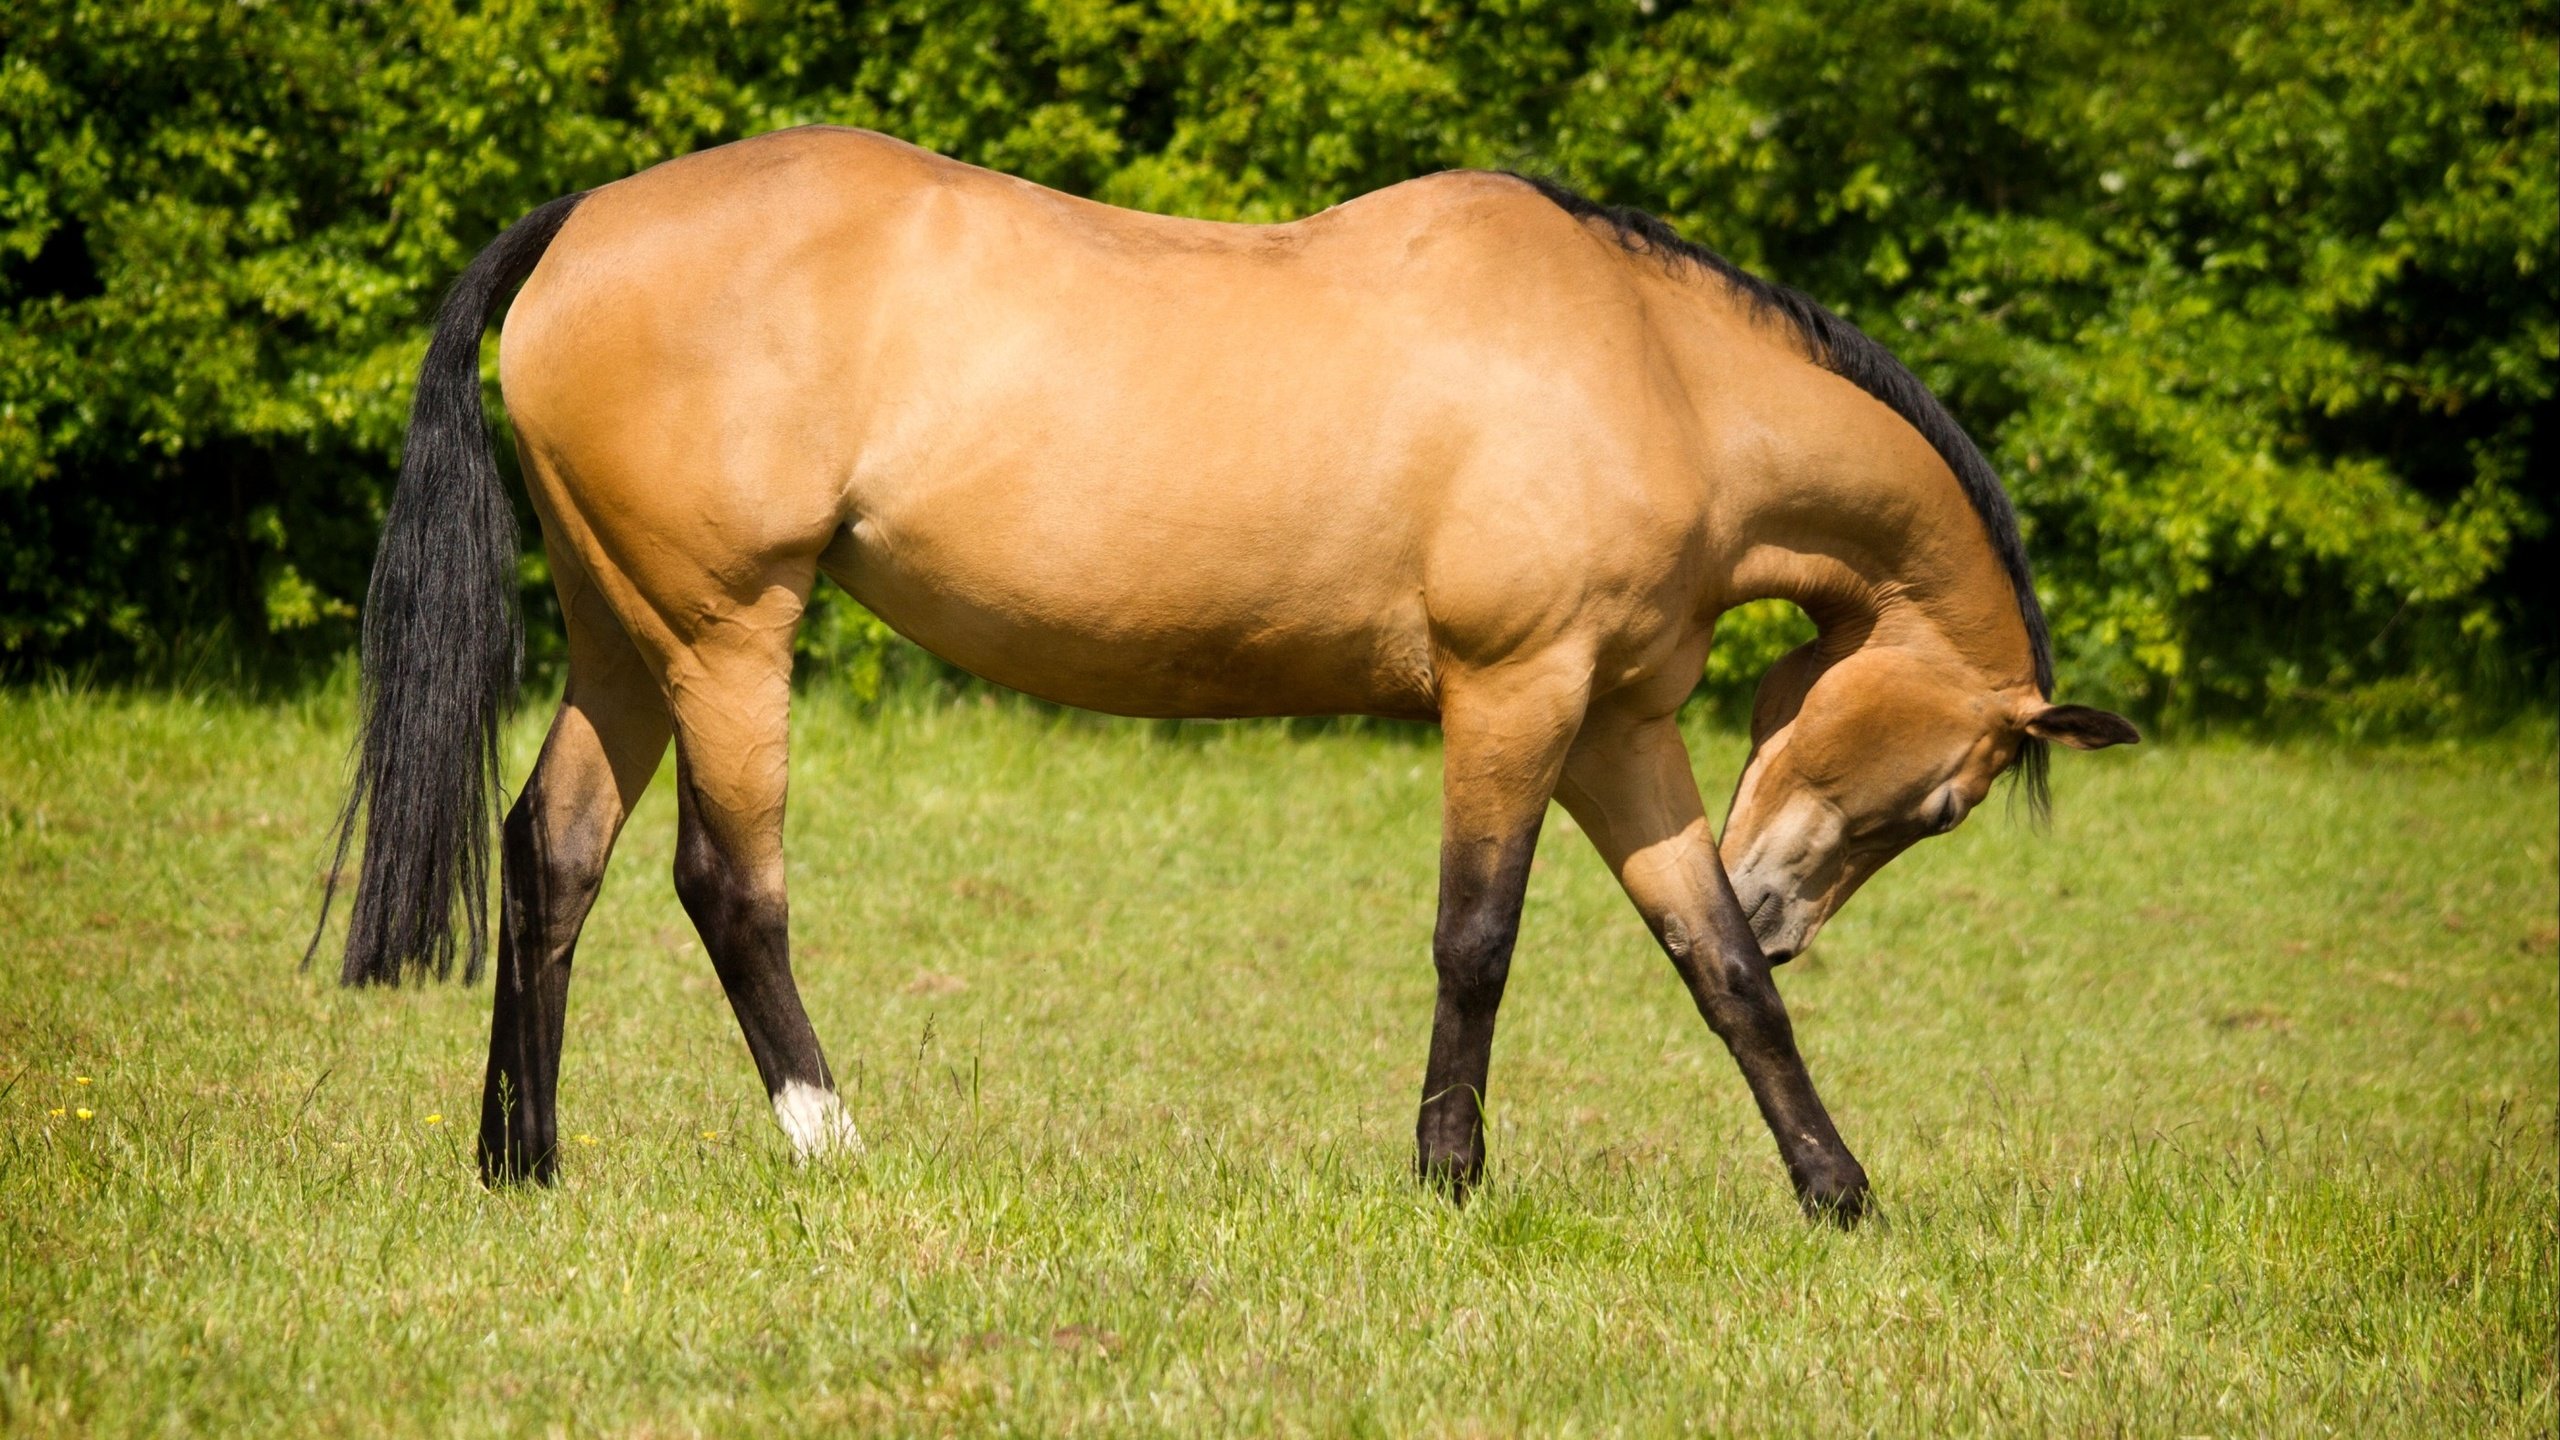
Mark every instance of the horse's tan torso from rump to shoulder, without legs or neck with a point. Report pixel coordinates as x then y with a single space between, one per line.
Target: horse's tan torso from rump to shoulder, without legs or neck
1120 460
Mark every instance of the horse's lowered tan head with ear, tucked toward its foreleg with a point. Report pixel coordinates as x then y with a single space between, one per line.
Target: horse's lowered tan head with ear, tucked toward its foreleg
1852 760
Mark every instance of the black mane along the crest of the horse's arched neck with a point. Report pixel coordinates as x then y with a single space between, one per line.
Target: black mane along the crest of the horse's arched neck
1860 360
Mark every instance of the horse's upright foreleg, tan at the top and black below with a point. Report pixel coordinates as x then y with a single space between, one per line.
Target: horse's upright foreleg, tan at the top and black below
1501 757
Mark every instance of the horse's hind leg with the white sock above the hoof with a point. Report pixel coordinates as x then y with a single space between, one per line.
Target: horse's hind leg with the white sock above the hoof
733 734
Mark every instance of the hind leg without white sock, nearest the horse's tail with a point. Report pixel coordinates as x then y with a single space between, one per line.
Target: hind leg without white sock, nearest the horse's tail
598 760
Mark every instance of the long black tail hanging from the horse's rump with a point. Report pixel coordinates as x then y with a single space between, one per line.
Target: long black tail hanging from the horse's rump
442 655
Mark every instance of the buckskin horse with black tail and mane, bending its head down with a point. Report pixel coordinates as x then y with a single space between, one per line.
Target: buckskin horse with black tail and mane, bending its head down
1471 450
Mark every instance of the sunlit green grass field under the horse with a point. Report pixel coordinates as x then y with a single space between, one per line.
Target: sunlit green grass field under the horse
2223 1108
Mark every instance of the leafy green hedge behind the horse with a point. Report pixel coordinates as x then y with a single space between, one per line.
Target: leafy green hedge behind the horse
2252 304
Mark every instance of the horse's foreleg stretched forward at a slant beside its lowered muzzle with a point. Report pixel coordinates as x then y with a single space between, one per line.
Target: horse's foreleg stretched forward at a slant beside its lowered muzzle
1629 788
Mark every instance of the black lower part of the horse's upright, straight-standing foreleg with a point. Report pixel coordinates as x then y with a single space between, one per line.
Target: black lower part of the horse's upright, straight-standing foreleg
1471 947
